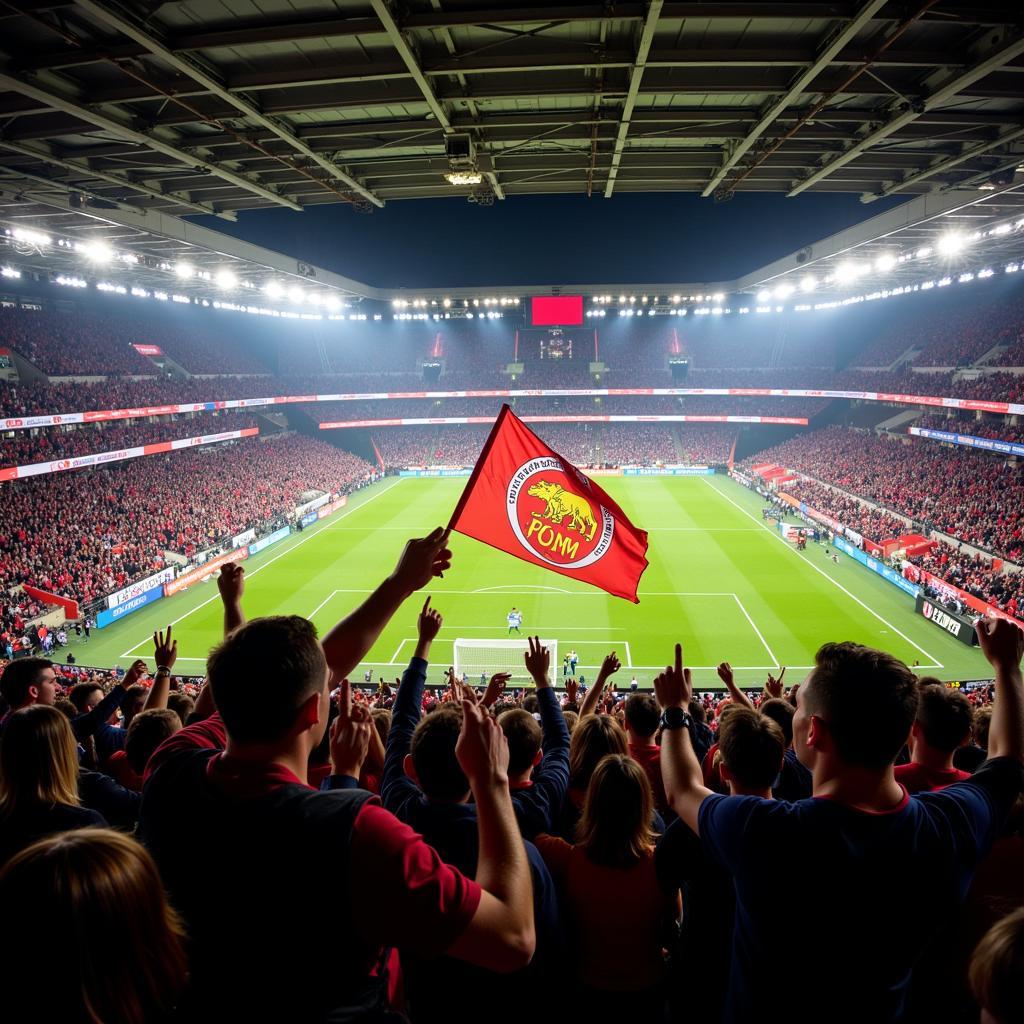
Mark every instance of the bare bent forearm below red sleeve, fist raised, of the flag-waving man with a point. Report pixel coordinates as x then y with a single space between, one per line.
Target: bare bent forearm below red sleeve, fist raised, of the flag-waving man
501 935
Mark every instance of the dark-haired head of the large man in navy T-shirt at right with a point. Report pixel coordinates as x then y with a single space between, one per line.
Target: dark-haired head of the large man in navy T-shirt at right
867 699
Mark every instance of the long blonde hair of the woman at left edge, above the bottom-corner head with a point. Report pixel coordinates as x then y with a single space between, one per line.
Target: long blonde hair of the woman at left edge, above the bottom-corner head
38 760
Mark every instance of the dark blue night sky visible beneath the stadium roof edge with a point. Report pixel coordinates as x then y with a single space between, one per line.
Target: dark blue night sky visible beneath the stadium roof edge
553 239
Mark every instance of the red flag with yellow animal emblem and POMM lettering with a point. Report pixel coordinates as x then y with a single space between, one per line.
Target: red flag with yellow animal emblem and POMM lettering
527 500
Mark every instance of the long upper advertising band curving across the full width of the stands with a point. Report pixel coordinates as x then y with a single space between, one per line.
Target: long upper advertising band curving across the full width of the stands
96 416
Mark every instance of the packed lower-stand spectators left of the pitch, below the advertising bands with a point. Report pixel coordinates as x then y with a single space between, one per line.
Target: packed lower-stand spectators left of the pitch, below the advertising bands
86 534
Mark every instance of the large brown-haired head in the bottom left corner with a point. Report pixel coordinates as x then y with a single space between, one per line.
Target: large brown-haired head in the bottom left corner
130 967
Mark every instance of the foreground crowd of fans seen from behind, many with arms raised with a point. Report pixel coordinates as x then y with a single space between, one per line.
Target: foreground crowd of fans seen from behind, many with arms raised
536 854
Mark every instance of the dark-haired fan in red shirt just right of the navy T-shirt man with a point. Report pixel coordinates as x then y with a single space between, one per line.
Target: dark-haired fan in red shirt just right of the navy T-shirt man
942 729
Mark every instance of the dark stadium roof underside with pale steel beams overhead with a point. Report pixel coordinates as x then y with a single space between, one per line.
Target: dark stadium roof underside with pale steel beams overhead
205 107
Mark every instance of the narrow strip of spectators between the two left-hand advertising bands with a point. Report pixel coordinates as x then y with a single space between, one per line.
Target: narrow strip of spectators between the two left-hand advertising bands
26 448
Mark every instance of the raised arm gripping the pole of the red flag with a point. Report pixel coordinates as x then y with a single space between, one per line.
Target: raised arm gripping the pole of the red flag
349 643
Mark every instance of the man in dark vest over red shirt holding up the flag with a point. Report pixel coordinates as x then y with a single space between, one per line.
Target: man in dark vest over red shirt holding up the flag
292 898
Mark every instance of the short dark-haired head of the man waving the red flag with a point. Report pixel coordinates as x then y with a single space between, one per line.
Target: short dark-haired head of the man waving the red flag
263 674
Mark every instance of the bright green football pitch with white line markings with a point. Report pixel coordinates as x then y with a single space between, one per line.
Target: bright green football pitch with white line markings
720 581
